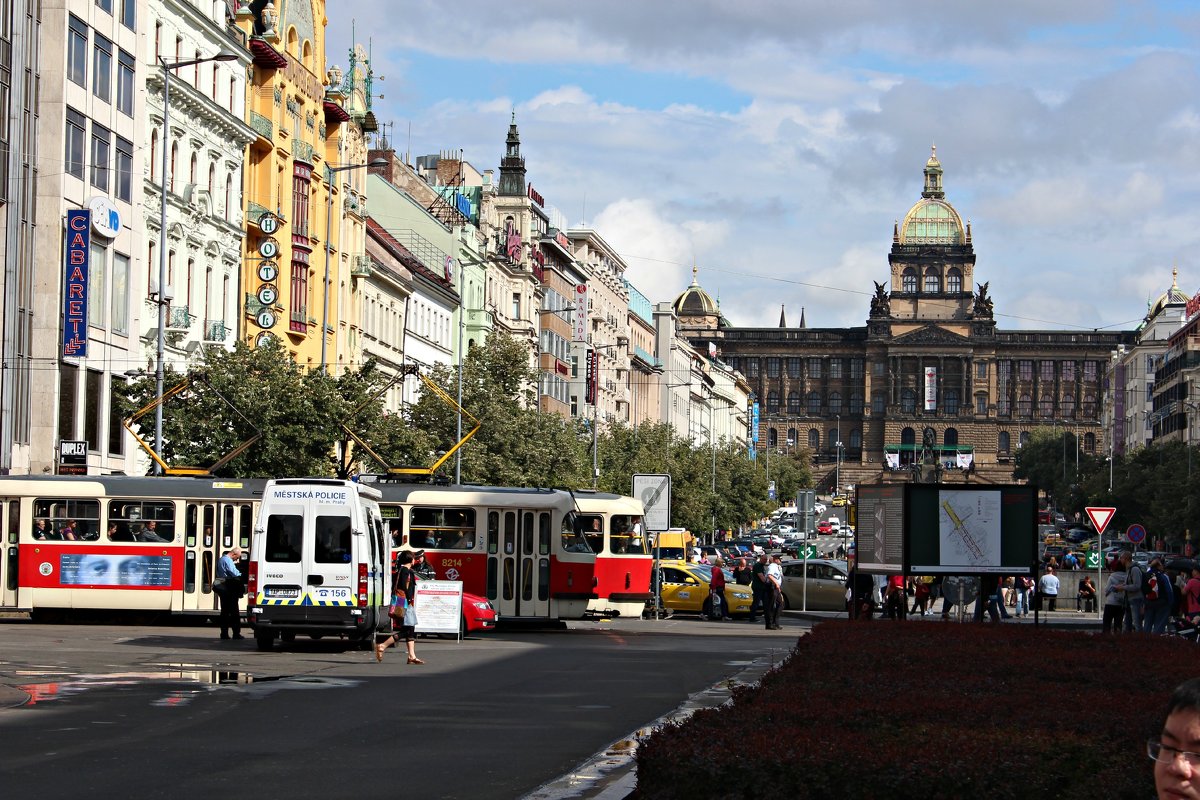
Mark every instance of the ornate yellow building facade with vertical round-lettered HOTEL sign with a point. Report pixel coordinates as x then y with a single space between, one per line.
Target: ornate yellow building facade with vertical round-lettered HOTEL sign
304 197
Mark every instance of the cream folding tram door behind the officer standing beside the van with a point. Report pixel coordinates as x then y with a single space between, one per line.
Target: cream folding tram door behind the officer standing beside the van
211 531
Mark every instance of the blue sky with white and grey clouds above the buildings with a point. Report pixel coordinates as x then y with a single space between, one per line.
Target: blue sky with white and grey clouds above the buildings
772 145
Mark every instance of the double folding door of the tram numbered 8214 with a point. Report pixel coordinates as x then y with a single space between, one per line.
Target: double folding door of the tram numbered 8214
519 562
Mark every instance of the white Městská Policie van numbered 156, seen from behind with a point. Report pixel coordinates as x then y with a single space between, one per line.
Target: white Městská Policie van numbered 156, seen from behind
319 563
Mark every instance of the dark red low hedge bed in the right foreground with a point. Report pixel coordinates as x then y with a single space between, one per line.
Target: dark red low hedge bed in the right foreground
932 711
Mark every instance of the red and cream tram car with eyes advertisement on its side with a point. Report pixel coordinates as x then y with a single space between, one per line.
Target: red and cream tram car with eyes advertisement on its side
119 543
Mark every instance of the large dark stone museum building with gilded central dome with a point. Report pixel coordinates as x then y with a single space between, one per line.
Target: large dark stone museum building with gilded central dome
929 380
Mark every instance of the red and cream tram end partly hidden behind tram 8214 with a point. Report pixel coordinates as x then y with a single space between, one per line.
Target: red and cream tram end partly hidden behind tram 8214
616 533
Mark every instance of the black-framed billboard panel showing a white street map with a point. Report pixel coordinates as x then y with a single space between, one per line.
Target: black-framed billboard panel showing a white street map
964 530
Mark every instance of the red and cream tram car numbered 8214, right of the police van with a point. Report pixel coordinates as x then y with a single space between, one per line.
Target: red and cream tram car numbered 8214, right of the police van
518 548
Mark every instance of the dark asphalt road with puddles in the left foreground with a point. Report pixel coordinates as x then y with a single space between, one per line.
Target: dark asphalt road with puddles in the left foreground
172 712
